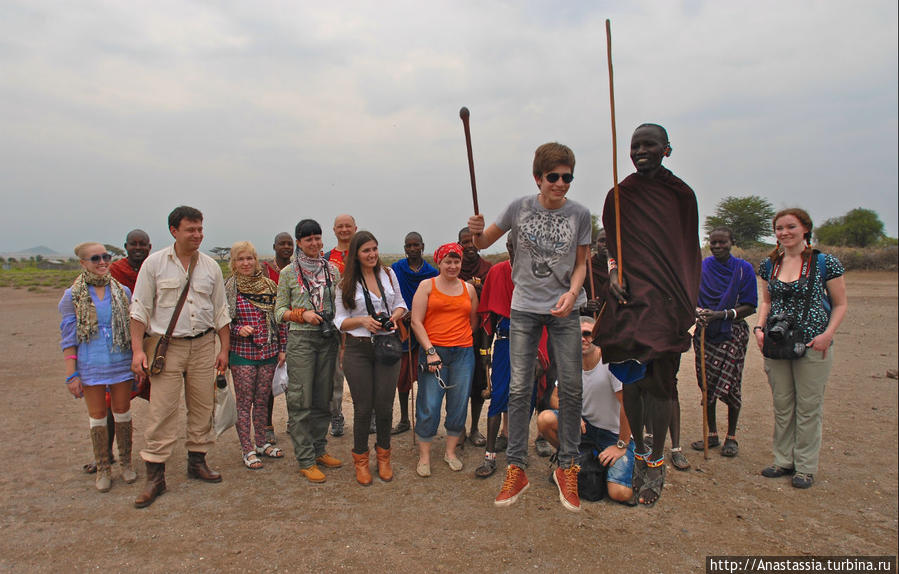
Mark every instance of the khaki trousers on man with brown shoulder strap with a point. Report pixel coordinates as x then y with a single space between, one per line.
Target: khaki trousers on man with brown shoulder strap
189 365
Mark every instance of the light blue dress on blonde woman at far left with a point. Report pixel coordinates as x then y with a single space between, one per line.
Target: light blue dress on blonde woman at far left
99 363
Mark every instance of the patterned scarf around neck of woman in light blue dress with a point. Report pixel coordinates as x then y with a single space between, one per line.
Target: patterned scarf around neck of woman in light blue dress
86 314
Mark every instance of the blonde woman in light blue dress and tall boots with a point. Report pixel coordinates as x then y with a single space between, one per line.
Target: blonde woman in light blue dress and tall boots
96 346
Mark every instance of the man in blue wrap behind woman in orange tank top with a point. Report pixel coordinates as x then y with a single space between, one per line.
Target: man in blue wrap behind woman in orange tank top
409 273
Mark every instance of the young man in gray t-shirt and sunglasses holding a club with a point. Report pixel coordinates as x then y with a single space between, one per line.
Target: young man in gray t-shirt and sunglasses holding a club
551 239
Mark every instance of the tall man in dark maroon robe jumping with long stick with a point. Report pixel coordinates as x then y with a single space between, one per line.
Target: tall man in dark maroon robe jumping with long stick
644 328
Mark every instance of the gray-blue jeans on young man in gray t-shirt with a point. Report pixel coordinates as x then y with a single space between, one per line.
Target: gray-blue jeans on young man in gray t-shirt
524 337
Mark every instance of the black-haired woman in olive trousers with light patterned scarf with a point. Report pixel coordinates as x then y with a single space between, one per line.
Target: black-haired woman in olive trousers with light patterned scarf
306 302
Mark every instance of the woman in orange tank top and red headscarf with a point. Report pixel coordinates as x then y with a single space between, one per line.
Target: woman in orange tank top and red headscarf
444 314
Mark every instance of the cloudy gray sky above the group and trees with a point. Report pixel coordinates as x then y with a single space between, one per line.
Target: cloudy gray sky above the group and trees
263 113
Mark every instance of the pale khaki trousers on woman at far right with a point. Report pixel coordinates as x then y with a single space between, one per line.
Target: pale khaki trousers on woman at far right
797 387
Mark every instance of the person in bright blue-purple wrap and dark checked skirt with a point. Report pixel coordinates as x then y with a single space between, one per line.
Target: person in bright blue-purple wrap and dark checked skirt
727 294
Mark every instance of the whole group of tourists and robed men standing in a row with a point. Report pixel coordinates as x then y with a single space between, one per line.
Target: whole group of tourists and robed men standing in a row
593 343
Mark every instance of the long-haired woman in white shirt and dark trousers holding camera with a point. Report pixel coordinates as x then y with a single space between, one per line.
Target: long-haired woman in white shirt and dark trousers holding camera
369 306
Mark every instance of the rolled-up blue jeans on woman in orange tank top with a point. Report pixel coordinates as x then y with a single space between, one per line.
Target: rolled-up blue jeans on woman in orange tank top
456 371
